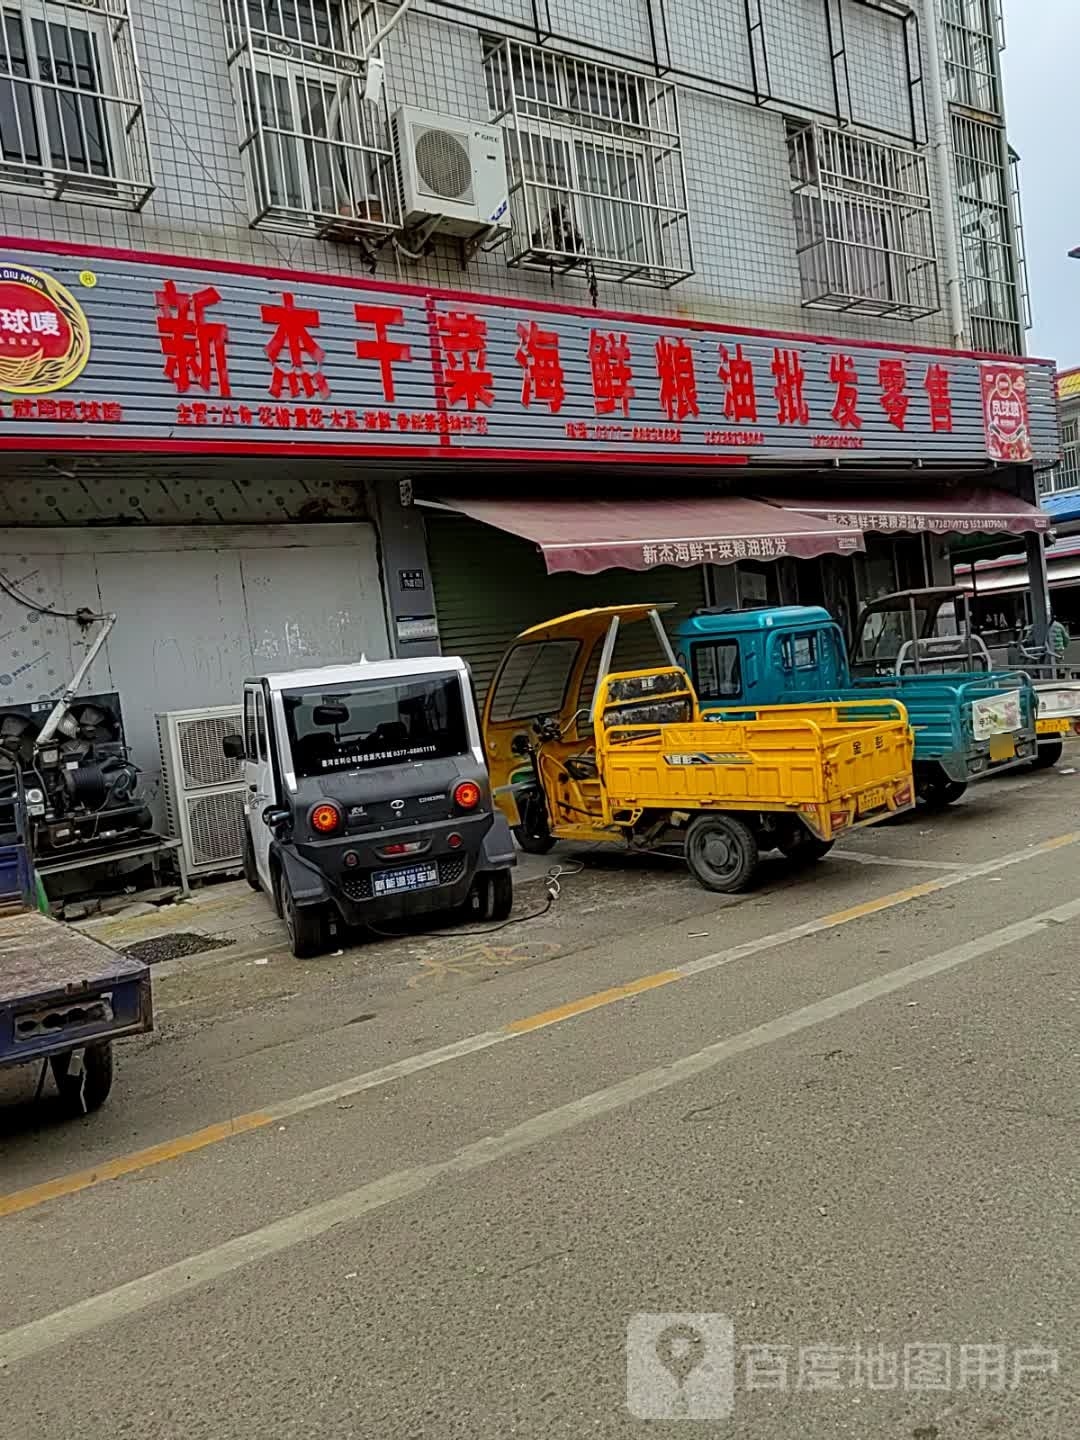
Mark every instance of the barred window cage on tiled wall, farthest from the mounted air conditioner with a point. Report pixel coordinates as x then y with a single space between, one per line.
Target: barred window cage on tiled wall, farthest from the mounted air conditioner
863 224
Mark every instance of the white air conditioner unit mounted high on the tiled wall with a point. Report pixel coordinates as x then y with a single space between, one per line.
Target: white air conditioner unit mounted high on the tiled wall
453 171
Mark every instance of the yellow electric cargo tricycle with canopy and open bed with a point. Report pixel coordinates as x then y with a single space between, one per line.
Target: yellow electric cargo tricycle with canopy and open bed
587 752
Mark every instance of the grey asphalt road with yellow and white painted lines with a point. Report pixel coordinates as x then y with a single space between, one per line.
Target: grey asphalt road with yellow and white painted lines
811 1156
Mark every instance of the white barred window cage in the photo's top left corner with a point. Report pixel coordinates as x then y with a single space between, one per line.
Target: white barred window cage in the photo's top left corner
73 122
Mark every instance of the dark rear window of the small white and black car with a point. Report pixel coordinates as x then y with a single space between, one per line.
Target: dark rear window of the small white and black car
388 724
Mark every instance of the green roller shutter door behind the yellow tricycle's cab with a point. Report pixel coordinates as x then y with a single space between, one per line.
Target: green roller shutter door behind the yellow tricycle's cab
490 587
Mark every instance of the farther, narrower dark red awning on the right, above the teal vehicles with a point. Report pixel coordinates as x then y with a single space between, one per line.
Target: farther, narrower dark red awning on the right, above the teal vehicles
944 512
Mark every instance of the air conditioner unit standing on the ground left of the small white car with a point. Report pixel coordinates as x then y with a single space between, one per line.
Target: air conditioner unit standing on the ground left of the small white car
204 788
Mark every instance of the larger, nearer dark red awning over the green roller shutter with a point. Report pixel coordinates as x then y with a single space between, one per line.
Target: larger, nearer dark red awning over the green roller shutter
588 536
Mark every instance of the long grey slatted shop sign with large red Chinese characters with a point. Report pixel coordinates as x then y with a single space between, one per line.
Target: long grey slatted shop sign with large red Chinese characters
158 349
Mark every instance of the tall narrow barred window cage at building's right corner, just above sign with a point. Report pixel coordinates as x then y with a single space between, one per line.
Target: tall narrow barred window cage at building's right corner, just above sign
991 274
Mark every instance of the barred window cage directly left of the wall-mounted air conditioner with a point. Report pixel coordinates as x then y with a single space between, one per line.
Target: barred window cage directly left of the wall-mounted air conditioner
316 150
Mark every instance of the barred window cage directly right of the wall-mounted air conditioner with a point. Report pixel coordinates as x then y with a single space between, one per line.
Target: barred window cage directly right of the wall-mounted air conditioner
595 168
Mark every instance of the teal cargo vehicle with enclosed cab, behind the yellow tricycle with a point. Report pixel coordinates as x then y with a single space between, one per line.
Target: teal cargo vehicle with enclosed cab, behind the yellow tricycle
967 726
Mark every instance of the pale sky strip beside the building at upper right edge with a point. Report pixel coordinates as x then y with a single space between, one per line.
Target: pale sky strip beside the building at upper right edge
1042 83
